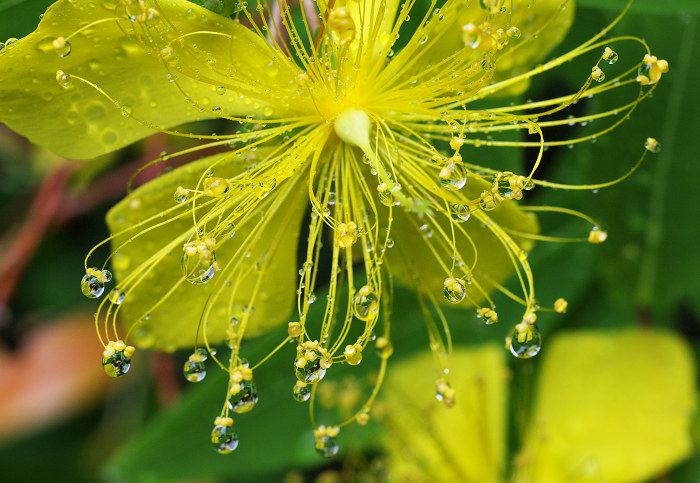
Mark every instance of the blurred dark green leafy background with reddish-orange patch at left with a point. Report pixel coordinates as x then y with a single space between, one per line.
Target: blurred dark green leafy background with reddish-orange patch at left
647 273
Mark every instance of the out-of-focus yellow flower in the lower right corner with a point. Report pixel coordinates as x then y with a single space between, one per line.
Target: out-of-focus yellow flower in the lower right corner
611 406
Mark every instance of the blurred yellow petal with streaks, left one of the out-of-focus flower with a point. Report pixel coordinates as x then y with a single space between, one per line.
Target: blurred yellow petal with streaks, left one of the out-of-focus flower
427 441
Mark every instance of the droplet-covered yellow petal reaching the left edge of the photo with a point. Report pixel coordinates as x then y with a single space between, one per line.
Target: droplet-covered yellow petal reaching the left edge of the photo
124 59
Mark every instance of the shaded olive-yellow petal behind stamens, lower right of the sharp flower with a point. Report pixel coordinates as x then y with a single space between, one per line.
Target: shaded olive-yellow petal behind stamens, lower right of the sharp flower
412 256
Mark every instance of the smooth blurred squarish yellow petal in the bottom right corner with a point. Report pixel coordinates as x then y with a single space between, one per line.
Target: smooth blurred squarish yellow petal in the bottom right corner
611 406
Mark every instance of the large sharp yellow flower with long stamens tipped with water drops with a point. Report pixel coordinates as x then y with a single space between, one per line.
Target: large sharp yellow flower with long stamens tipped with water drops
378 123
